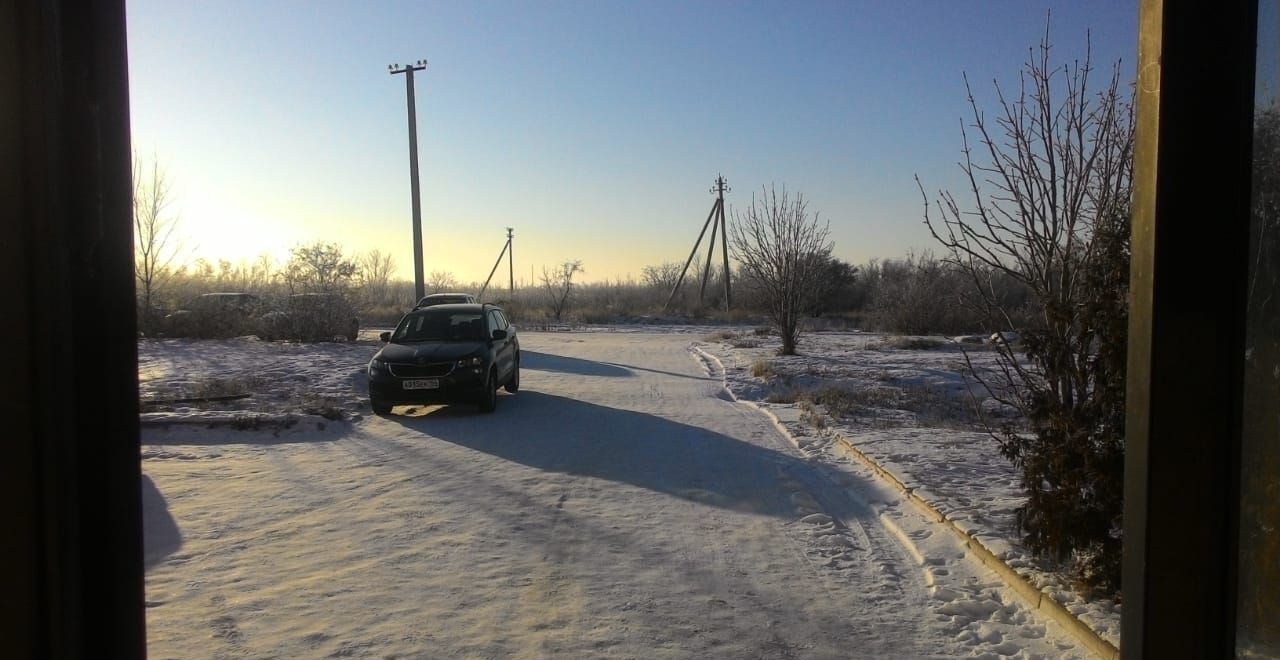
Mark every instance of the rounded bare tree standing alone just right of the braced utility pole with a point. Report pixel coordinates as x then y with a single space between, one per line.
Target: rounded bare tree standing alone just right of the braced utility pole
784 253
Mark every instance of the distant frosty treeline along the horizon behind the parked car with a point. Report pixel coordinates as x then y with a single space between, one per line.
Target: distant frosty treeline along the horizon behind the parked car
913 295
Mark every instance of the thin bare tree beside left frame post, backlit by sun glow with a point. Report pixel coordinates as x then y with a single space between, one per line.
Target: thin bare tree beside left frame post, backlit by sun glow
156 246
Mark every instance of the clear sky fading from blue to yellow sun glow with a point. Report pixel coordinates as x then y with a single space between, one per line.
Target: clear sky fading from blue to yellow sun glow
595 129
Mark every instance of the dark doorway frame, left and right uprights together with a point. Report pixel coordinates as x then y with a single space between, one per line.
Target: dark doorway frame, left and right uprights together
72 571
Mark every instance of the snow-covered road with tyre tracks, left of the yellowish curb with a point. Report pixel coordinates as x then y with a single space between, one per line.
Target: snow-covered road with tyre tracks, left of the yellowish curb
618 507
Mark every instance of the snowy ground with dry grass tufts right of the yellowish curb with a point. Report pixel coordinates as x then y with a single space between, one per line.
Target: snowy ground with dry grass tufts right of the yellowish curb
912 414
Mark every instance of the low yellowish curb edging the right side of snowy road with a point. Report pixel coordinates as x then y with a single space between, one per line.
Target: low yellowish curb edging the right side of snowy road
1031 594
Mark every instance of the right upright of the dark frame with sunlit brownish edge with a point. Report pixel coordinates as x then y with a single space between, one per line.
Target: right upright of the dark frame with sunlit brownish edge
1191 231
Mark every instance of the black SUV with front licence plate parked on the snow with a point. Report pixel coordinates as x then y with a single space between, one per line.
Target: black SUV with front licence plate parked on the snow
446 354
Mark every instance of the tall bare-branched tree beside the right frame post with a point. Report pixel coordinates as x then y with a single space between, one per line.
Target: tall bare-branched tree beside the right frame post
1049 210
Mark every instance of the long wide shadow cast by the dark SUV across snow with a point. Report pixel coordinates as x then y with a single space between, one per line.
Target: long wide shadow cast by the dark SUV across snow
557 434
